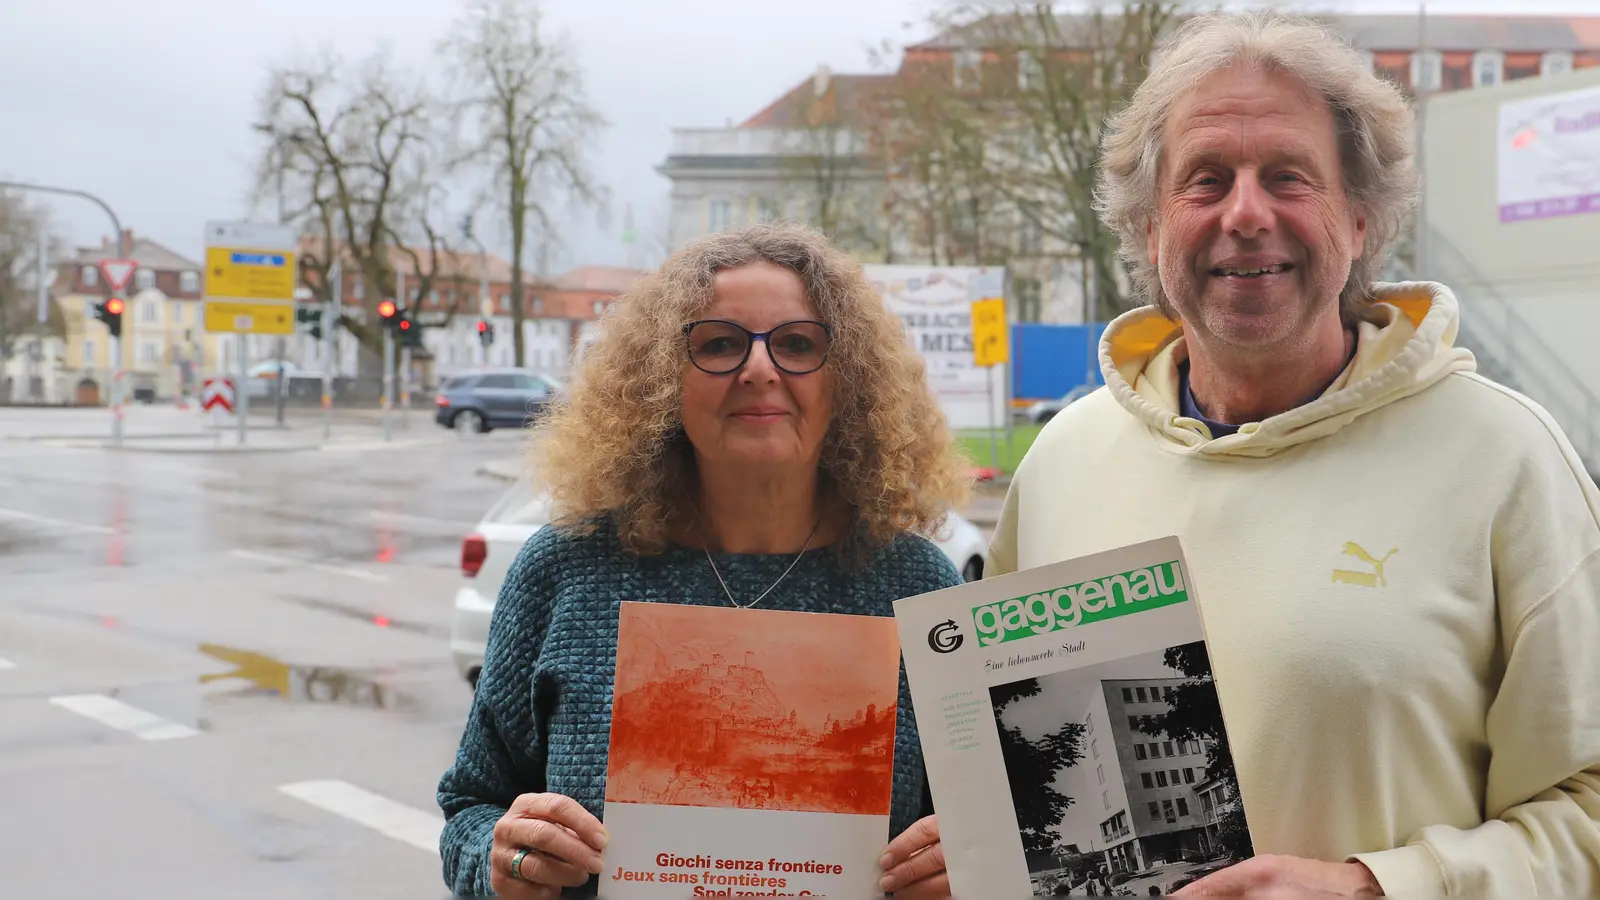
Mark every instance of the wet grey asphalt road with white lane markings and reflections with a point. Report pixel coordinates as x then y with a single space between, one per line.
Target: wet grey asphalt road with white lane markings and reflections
228 675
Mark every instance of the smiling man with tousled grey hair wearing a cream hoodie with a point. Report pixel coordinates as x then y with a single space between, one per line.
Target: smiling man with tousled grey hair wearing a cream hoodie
1398 560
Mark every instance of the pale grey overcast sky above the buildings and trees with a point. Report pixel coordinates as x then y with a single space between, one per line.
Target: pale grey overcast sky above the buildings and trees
150 103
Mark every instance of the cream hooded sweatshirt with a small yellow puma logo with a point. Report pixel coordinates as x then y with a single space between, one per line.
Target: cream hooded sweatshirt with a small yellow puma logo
1401 584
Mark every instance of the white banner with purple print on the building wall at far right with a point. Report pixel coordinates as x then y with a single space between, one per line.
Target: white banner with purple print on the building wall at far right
1550 156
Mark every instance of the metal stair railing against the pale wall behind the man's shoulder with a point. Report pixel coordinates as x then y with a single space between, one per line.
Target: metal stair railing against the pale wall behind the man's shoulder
1511 352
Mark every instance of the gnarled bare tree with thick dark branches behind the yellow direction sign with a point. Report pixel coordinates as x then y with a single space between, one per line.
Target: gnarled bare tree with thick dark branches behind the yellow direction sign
353 159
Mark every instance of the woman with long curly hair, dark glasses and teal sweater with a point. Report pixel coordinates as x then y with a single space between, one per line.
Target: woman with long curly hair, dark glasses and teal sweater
750 428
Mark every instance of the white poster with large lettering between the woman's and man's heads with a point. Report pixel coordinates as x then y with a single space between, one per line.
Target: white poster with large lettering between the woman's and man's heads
935 302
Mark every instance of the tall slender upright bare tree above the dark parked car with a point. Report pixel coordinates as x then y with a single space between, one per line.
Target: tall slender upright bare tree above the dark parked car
522 97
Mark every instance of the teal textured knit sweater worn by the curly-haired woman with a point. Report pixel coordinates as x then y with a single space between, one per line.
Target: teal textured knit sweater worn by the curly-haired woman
542 717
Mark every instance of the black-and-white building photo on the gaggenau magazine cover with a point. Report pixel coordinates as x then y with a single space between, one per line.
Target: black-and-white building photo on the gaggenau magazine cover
1121 776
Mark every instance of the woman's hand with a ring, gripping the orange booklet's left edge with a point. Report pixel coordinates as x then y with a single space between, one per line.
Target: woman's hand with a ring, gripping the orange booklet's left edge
562 842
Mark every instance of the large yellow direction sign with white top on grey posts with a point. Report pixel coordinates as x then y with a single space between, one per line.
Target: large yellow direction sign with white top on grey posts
249 291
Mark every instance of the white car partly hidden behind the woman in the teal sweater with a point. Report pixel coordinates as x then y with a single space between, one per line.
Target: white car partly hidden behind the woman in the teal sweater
489 552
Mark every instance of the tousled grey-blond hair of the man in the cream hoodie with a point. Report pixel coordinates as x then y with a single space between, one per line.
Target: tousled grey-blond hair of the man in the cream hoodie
1372 118
